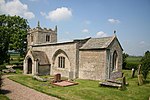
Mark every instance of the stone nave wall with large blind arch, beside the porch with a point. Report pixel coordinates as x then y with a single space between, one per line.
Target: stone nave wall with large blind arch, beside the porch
53 51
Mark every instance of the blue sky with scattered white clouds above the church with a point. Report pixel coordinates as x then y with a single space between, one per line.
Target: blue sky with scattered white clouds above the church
78 19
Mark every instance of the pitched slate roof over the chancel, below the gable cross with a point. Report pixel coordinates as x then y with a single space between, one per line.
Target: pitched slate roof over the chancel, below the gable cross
98 43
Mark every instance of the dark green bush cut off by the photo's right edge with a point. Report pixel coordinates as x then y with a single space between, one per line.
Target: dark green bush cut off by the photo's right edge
145 64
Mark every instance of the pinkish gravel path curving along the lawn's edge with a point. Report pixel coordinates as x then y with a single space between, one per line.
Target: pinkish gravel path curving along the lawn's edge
16 91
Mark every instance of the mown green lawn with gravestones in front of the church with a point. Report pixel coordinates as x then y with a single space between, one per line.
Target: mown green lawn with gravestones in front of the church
89 90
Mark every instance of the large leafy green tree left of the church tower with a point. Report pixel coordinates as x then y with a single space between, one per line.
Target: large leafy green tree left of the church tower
13 33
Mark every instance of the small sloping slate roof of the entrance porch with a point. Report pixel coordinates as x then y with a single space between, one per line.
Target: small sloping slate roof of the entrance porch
41 57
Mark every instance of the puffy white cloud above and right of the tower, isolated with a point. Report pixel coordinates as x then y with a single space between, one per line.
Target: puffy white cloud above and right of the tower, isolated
59 14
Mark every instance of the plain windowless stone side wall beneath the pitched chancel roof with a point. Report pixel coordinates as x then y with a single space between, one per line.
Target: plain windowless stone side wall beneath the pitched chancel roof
92 64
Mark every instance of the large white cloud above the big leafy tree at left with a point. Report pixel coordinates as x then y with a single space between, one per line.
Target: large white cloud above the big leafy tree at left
15 7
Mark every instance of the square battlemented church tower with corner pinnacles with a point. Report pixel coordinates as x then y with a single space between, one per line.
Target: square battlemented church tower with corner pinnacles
40 35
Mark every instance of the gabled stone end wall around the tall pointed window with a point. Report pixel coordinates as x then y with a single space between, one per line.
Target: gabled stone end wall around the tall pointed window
115 46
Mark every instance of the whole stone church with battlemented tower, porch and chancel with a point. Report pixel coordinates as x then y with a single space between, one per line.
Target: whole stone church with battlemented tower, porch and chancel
90 58
